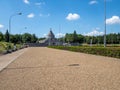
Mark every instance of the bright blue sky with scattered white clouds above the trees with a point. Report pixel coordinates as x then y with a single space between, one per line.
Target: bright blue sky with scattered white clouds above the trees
62 16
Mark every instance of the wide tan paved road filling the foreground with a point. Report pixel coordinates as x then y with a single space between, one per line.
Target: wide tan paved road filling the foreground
50 69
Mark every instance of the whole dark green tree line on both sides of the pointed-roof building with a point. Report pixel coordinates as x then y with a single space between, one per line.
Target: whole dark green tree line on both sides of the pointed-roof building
112 38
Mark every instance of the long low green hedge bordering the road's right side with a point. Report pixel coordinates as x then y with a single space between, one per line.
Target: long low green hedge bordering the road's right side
108 51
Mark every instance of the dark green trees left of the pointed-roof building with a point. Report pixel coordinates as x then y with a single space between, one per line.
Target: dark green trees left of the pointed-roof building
18 38
